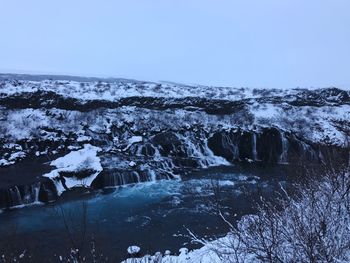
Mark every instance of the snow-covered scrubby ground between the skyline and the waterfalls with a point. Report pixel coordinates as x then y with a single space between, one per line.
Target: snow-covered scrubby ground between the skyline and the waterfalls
315 113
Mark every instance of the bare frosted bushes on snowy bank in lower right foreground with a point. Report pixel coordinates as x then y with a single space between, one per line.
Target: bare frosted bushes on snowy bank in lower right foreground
313 225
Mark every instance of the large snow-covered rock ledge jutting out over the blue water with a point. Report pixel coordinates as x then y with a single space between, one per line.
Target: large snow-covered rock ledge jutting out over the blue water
76 169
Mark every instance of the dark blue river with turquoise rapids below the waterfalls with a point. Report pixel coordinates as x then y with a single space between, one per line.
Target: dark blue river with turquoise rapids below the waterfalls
152 215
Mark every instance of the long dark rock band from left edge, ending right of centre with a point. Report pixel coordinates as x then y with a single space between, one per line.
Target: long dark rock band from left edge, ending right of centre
49 99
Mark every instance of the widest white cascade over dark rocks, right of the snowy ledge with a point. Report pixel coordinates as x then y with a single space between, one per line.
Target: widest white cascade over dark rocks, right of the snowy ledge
163 157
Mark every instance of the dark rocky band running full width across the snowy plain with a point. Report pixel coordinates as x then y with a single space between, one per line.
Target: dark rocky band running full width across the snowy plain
50 99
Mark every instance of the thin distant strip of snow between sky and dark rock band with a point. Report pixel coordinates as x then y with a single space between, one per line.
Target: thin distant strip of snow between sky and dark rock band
117 90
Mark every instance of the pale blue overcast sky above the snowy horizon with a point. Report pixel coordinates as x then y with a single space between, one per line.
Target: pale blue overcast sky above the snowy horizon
240 43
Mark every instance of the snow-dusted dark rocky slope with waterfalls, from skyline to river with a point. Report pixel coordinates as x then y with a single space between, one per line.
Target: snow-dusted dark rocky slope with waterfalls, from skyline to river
149 131
